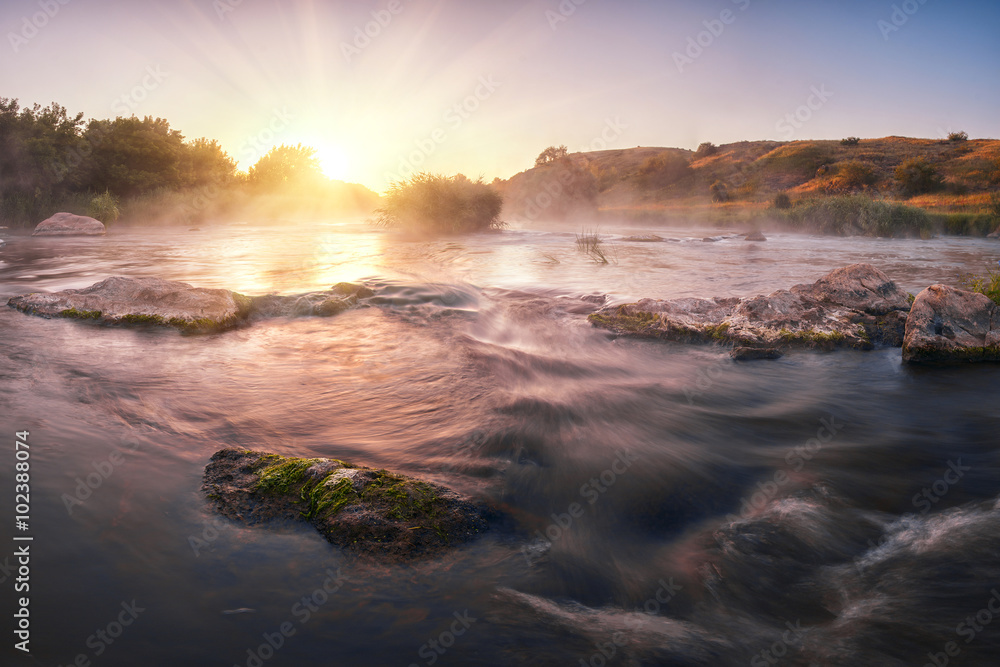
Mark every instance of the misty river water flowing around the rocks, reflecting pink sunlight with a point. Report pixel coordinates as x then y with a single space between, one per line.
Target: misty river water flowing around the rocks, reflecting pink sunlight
662 505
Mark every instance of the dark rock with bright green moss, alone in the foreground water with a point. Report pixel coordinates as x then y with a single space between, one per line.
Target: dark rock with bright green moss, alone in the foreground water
375 513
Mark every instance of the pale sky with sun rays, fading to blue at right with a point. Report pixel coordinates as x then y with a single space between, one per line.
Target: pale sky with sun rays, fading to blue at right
386 88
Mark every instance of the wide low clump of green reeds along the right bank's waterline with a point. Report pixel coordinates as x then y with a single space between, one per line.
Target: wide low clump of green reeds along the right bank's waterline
859 214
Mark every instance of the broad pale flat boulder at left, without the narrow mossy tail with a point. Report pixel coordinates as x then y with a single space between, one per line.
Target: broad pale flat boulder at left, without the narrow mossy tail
119 300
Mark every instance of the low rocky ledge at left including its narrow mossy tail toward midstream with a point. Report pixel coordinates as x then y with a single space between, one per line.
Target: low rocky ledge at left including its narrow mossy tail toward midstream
153 301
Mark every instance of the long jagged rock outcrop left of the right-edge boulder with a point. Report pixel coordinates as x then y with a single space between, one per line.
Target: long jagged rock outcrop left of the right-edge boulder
856 306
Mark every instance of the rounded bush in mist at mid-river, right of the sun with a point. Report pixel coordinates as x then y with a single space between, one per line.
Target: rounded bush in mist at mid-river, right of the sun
432 202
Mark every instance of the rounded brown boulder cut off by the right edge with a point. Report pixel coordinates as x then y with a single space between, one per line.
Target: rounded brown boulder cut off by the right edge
948 324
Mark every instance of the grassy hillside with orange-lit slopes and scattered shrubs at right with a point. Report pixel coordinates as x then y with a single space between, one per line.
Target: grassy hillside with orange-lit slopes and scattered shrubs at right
742 180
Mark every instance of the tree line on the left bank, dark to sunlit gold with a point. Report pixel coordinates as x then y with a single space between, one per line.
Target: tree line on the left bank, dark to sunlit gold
49 157
